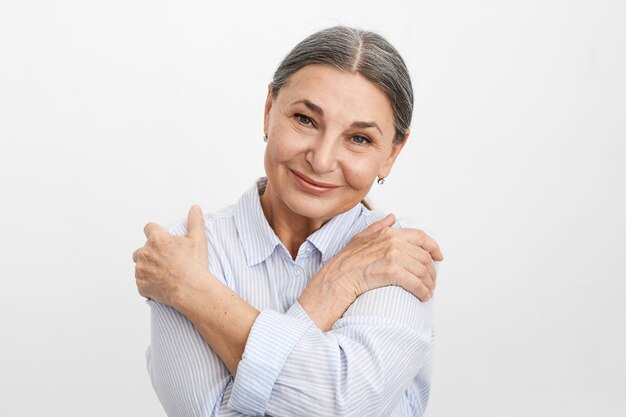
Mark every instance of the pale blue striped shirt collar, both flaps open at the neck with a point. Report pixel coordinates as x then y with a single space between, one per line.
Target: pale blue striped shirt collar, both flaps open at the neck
259 240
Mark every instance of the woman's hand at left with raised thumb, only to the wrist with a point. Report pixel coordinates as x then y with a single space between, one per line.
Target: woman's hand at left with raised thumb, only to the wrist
166 265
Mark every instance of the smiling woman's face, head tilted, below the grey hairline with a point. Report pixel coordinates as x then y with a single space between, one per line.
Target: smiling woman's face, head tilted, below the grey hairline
330 135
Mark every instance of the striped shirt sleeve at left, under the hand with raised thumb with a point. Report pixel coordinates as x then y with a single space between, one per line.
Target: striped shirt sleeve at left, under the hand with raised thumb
188 377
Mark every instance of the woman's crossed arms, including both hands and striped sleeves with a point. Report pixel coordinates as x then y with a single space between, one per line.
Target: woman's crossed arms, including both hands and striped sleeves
174 271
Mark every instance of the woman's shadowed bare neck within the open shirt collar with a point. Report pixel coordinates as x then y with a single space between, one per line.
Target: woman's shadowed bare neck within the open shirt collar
291 228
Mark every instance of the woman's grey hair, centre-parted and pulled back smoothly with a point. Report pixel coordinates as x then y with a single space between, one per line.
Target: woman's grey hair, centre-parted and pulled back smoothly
356 51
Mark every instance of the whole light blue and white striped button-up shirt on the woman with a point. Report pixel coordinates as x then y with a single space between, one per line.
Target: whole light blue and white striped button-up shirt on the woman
375 361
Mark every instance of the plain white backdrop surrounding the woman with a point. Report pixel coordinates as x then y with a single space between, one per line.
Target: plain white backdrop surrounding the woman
115 113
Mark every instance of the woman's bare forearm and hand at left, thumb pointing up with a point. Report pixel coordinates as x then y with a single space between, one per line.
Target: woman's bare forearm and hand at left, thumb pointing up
173 270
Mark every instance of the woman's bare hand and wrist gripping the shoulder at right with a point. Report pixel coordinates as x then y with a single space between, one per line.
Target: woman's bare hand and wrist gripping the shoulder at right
379 256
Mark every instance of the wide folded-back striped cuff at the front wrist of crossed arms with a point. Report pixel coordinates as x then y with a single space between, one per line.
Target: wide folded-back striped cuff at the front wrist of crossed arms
271 340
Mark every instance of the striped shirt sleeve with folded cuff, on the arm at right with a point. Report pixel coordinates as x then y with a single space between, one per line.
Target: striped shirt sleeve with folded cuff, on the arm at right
361 367
